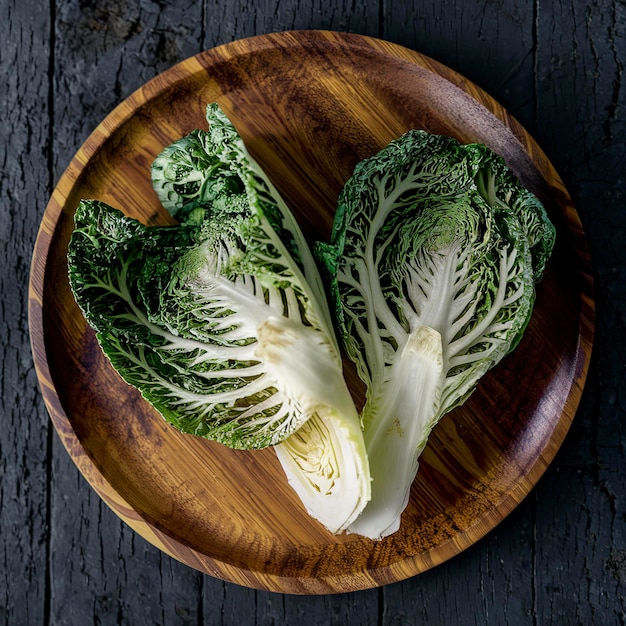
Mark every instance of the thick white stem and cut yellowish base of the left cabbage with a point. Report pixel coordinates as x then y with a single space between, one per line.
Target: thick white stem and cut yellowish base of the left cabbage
324 460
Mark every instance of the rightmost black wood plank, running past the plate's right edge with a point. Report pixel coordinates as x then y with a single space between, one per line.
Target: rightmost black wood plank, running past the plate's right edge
581 512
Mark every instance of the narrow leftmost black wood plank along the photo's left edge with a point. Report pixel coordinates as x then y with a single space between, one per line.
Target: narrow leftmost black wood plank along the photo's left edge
24 187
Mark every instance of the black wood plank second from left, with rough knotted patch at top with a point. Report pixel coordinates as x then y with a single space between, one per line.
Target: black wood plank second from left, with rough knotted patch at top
100 570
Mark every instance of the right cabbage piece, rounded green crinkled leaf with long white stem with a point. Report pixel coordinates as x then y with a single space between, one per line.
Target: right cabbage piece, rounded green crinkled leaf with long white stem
433 260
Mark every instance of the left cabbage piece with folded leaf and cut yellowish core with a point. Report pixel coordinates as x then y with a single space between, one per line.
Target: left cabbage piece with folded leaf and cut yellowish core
221 320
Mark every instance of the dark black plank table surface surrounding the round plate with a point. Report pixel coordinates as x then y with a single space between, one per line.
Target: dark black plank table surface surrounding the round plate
560 557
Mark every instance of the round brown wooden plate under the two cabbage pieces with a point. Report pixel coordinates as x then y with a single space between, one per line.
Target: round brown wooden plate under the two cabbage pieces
309 105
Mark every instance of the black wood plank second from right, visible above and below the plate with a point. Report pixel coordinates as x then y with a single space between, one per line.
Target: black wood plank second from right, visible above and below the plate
491 44
